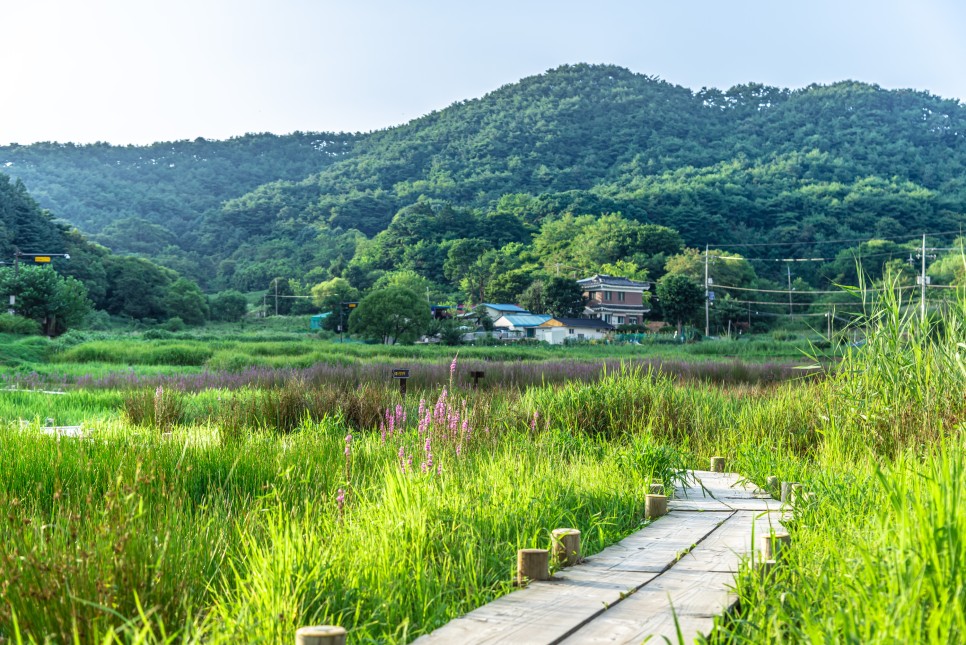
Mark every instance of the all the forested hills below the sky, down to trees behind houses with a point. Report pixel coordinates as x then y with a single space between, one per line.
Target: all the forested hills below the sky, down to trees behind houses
584 168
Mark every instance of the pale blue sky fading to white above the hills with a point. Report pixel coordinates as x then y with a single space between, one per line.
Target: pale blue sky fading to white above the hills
141 71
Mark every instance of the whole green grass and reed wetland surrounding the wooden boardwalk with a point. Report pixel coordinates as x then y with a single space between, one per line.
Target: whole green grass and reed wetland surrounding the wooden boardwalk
208 504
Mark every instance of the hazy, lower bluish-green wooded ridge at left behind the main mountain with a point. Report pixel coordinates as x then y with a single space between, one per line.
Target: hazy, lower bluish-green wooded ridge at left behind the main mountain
151 199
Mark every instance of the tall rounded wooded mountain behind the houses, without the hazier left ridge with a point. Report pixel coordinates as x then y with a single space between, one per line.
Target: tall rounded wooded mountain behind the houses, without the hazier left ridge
811 164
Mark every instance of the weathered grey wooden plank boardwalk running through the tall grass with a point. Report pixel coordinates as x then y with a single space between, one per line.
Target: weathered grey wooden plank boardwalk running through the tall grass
686 559
